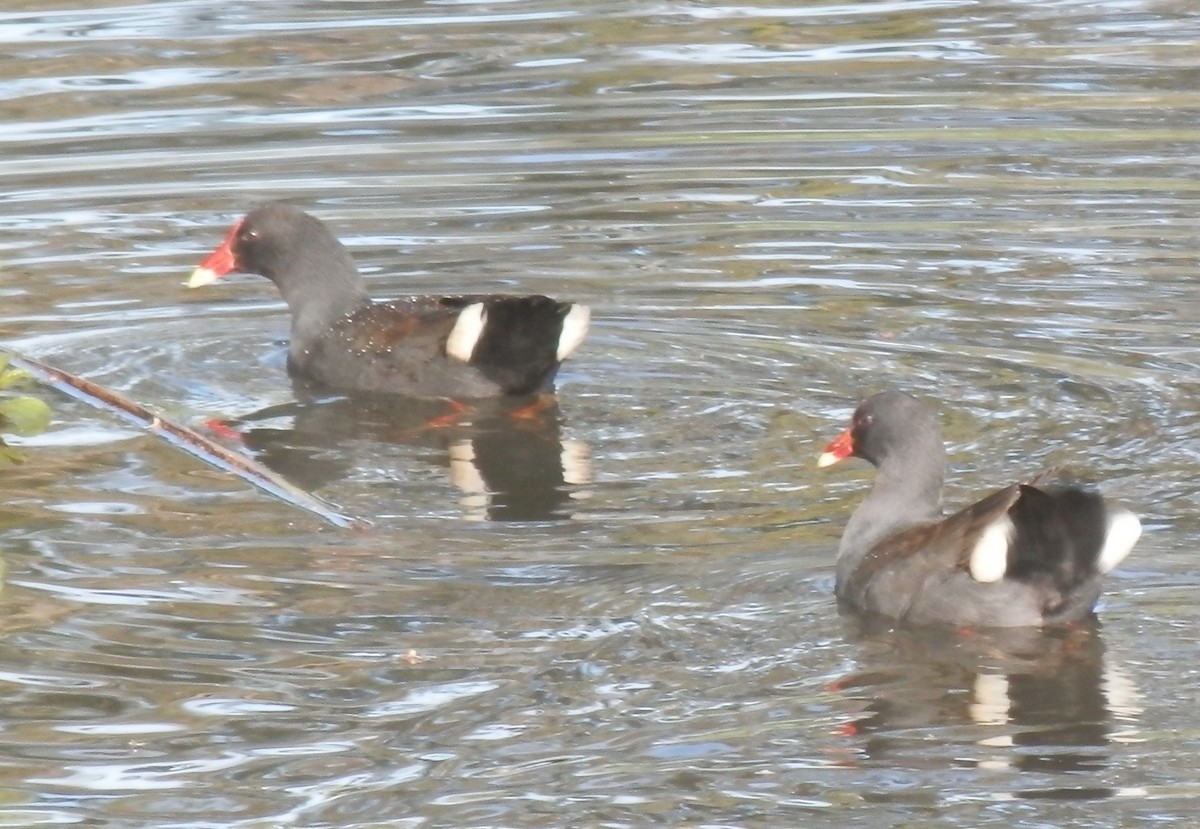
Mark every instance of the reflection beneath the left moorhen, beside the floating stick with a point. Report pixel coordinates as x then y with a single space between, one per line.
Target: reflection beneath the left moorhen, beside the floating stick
507 456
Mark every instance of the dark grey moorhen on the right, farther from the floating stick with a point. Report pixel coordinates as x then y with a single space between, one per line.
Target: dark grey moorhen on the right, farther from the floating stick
1029 555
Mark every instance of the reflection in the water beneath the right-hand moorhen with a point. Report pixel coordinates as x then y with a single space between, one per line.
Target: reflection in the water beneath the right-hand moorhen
1028 700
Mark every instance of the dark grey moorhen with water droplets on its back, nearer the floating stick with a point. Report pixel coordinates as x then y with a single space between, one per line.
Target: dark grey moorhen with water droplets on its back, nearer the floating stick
424 346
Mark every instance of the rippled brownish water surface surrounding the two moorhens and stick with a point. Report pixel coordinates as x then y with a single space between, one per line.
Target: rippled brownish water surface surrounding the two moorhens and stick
773 211
